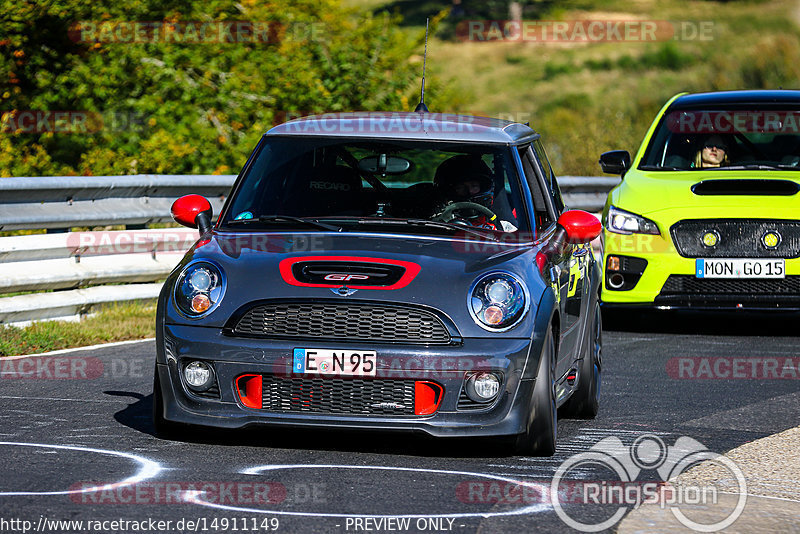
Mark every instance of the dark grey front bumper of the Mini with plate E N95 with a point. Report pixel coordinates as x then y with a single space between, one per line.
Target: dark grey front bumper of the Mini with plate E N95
514 359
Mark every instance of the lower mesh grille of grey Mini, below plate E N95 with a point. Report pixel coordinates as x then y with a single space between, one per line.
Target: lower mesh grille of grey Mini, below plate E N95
338 395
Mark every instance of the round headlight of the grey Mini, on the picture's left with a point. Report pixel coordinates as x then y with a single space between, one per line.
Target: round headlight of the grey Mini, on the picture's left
199 288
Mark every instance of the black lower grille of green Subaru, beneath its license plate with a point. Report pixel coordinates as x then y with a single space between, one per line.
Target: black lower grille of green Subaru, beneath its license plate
686 290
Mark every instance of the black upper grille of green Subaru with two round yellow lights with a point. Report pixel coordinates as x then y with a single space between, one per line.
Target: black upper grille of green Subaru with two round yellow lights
738 238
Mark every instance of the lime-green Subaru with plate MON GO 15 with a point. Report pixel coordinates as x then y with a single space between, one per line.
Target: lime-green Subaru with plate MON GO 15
708 213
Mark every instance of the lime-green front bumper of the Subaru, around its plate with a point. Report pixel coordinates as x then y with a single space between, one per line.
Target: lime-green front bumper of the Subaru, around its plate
668 280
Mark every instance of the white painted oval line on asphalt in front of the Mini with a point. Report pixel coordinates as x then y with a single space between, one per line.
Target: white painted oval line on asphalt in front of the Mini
195 497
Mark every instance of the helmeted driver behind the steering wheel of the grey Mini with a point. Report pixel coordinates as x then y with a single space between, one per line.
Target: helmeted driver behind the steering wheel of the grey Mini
465 183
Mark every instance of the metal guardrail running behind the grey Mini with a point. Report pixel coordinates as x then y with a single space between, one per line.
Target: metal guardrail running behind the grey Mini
75 265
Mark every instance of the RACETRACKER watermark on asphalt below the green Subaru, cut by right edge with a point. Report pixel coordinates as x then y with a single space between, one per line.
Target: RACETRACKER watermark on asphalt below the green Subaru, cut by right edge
734 368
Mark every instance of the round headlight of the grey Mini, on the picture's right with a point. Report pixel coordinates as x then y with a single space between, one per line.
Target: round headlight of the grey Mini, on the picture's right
497 301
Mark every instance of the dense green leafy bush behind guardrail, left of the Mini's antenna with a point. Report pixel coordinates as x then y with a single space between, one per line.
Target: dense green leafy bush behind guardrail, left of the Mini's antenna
180 107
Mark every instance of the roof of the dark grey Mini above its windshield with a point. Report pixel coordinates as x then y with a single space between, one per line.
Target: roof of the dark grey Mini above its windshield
408 125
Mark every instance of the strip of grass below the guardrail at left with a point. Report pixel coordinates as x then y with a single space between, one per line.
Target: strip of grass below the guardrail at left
115 323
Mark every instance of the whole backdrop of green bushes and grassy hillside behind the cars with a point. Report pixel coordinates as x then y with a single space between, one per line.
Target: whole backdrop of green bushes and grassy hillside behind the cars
200 108
